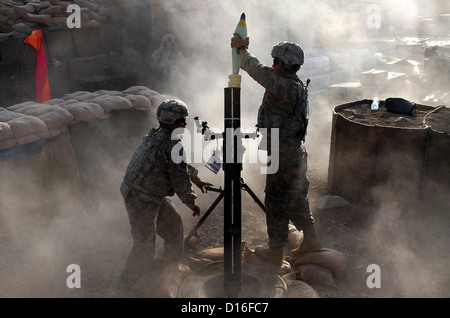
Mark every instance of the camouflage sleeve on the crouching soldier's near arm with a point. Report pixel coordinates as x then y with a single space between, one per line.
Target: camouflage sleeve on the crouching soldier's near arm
179 174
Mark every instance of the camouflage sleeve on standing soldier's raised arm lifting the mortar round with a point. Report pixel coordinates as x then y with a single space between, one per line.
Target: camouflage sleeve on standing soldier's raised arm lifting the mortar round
263 74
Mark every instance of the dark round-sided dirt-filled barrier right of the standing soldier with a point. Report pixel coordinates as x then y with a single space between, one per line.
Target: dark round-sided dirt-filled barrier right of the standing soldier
371 163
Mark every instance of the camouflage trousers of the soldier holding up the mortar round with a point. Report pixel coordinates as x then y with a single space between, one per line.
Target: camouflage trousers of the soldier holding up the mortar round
286 197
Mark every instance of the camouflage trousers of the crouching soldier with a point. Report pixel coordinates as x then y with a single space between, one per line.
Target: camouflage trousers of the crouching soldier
149 217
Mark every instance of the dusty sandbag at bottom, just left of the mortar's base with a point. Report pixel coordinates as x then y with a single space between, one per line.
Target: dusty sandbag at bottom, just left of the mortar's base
169 281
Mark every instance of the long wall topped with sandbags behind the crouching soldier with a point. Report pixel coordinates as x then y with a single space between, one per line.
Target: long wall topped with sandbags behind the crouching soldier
65 148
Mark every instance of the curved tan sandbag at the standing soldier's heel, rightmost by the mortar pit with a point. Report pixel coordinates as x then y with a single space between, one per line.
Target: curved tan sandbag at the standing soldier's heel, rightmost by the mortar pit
332 260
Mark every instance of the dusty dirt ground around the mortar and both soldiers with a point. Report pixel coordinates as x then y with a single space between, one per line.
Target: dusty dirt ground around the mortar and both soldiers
411 247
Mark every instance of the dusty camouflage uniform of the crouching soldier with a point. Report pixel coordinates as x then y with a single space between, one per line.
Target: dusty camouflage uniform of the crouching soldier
150 178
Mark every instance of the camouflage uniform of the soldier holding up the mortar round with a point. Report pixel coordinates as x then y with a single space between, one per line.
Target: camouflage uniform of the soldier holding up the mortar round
286 190
